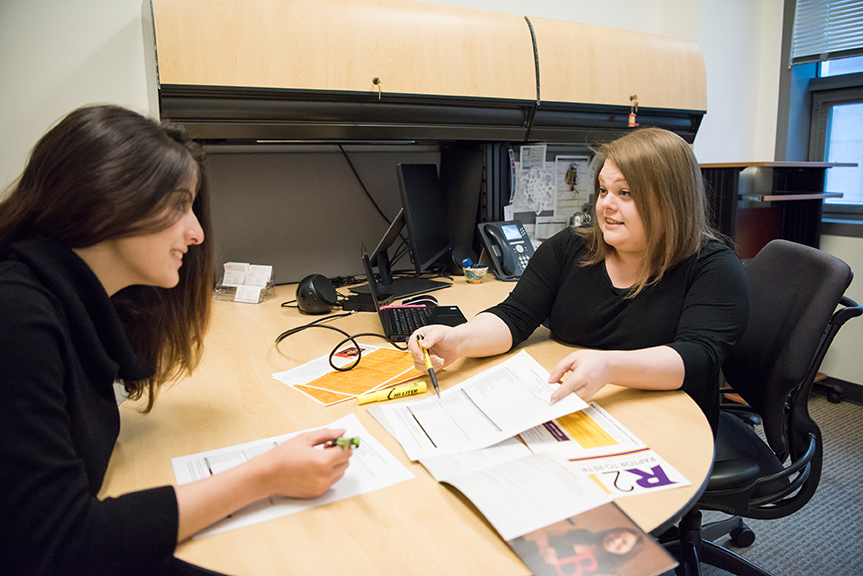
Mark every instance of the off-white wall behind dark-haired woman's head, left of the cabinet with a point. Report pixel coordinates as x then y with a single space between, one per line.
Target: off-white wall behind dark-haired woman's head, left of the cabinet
56 56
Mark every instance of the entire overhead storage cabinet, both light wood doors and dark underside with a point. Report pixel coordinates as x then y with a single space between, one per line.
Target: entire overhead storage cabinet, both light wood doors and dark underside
399 69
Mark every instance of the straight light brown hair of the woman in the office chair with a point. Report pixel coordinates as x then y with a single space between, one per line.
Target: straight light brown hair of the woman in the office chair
668 190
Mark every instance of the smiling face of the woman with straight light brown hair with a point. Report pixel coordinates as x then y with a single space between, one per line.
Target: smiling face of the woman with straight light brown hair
617 214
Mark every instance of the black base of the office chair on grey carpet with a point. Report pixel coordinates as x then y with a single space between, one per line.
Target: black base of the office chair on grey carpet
693 547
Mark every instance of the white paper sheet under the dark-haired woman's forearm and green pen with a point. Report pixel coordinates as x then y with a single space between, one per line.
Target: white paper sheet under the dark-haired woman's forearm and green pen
371 467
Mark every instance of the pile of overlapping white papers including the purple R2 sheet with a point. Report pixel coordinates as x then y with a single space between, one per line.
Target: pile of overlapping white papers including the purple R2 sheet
571 457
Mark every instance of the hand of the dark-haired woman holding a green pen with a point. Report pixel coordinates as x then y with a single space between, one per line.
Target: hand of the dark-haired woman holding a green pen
297 469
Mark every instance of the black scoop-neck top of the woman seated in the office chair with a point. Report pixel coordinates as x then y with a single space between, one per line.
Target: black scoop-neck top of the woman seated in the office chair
699 308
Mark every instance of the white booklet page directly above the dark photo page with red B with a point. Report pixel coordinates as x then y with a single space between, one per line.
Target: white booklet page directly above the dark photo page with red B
523 495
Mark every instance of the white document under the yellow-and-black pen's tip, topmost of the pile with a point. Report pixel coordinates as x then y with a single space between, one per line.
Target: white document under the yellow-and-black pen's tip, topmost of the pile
481 411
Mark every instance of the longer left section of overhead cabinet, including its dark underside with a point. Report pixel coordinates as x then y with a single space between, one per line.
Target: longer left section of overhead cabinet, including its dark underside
343 70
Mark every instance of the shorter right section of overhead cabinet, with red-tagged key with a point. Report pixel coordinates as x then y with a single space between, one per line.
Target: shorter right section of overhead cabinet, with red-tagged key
588 75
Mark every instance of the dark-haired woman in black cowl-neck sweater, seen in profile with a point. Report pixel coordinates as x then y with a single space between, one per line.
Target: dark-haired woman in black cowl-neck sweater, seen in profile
106 276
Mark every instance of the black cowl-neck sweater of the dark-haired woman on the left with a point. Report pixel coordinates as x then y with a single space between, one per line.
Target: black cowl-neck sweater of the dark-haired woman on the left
61 348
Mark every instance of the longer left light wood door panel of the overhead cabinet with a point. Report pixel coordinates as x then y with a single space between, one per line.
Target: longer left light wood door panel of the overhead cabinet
412 47
